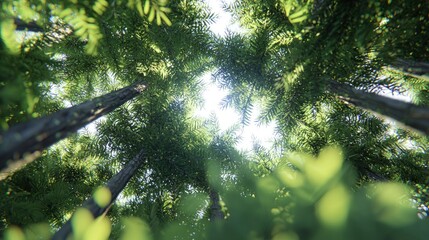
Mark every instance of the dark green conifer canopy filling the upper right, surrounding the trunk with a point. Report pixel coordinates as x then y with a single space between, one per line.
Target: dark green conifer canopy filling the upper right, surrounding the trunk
288 64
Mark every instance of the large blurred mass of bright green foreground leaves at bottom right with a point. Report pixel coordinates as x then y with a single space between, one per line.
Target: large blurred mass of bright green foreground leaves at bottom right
313 200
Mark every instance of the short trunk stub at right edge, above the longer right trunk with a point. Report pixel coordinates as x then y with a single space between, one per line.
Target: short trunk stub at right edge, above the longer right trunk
412 68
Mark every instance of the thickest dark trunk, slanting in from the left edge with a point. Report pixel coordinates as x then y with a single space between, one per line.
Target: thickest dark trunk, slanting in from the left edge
24 142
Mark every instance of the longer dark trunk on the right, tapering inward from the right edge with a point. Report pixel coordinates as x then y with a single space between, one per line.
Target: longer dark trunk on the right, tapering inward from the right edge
411 115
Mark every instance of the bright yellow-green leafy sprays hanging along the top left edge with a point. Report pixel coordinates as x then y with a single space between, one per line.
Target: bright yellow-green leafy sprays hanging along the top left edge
83 17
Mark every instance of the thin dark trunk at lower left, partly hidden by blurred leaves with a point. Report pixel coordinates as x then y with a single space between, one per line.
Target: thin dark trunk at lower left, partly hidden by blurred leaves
116 184
